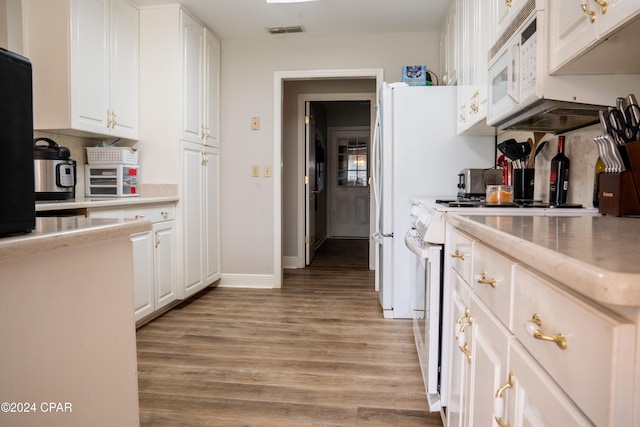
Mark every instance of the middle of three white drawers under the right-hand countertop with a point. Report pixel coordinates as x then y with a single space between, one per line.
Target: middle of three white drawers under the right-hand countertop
491 281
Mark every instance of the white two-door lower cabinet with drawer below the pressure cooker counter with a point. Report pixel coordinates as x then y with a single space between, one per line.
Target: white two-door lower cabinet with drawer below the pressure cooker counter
154 256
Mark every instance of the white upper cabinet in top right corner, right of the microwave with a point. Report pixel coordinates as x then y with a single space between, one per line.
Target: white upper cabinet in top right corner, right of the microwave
594 37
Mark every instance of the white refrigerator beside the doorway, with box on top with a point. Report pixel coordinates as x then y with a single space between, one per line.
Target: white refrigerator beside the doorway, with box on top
416 152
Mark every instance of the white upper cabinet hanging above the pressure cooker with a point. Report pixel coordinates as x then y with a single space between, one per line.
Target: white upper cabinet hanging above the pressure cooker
85 66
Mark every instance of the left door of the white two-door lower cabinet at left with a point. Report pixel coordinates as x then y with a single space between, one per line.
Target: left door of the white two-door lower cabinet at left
143 292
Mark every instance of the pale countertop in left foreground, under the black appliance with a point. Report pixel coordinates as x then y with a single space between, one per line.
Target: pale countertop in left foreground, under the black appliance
59 232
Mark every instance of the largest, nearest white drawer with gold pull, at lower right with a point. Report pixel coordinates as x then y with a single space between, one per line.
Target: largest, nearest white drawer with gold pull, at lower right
594 367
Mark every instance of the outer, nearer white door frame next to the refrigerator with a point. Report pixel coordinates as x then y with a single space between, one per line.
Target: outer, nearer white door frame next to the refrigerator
279 78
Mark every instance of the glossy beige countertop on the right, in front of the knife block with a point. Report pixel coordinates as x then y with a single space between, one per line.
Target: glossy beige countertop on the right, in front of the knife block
598 256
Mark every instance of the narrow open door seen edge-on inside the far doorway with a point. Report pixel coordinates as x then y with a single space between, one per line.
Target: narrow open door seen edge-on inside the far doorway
311 188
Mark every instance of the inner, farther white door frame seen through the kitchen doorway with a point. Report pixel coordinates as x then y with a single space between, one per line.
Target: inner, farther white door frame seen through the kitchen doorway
311 97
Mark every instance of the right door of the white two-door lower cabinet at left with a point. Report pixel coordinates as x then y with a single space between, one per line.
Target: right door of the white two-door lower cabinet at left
164 263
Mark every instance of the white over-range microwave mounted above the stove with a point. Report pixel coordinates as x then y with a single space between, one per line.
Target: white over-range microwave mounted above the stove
524 96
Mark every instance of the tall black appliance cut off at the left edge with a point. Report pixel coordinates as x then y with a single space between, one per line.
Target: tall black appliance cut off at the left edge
17 200
